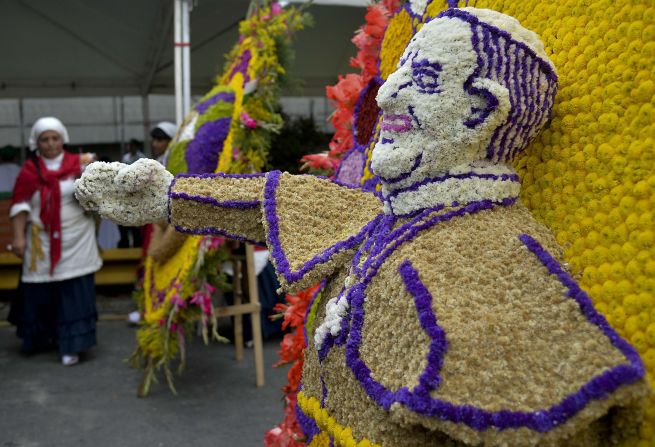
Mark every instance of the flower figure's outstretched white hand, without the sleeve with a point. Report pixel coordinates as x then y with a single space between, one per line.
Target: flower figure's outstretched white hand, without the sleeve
131 195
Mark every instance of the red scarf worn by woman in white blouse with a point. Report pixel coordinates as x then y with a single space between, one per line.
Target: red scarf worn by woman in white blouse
47 183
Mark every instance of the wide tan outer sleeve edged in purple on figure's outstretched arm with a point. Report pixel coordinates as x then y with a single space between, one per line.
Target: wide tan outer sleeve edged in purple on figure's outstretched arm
313 225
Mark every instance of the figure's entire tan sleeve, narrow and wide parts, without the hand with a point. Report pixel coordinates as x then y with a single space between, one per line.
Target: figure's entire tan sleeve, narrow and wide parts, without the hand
310 225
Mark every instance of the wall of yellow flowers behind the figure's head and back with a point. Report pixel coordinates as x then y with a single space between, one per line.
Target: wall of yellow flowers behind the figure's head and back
590 175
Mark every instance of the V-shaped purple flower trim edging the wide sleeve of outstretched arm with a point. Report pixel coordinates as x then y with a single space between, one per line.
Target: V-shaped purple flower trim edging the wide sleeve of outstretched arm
277 253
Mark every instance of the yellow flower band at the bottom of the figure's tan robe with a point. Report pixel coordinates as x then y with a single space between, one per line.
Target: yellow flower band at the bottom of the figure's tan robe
343 436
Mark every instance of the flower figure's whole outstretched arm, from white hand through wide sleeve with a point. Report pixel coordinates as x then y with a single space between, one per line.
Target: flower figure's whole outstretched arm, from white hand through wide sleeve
312 226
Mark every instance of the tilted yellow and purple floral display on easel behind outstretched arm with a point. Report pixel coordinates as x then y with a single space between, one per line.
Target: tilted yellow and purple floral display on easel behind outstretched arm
229 130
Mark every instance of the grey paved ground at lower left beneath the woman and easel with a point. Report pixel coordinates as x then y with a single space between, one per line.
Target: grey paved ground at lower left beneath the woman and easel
94 403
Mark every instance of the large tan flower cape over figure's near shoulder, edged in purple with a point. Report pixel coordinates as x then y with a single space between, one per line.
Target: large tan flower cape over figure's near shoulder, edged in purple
473 292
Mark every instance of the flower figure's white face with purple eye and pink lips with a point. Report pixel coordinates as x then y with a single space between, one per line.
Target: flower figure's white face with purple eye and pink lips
424 106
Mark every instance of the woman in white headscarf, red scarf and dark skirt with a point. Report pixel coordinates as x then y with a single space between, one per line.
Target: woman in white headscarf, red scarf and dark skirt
56 240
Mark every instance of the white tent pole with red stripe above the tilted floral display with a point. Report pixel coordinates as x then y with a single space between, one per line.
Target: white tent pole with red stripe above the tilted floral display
182 60
